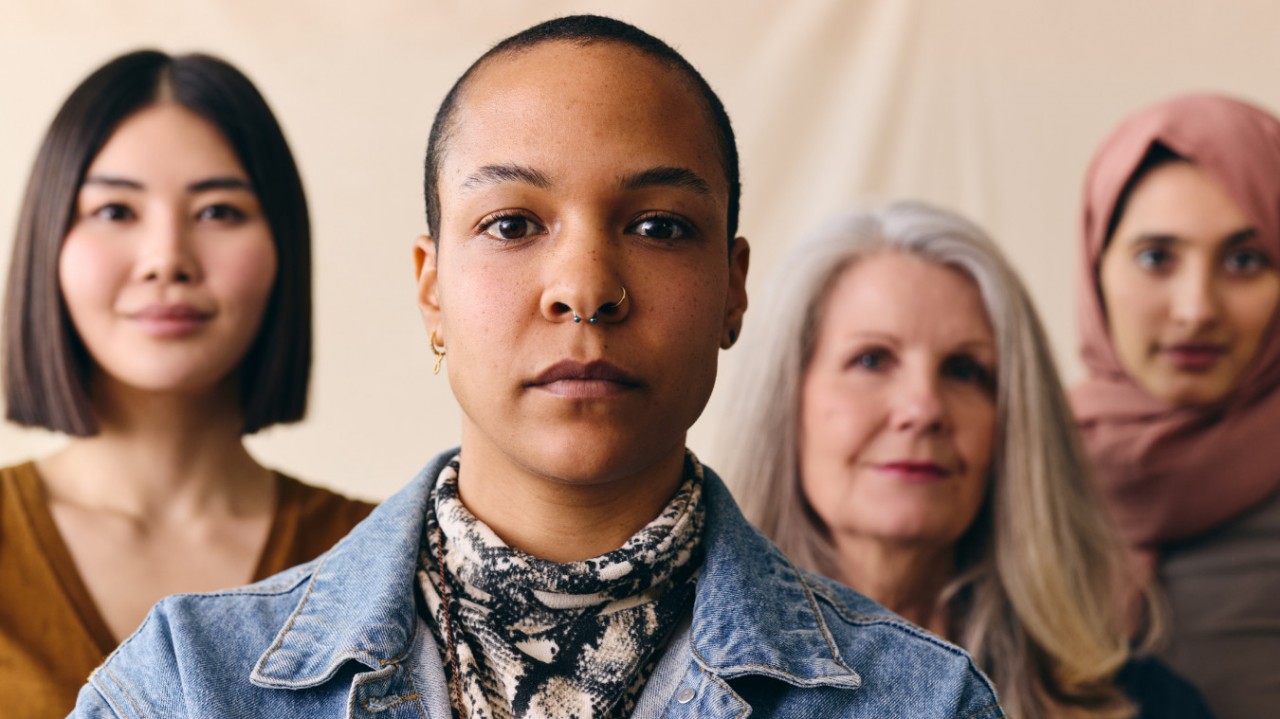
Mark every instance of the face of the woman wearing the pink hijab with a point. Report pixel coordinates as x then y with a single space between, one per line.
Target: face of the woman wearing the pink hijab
1190 291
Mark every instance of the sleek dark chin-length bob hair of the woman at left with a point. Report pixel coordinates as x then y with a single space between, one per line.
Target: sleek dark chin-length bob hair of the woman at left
47 367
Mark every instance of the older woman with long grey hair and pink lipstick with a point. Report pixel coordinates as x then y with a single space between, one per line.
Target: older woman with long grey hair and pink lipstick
902 428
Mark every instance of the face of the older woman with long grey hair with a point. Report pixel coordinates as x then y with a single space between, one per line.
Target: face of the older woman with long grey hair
899 414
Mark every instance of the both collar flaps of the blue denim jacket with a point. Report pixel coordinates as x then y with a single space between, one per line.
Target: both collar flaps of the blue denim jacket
362 602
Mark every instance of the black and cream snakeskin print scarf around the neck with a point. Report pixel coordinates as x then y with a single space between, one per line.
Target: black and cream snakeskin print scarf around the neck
540 639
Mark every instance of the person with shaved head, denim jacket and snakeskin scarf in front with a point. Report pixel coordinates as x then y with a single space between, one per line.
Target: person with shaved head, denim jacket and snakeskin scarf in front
573 558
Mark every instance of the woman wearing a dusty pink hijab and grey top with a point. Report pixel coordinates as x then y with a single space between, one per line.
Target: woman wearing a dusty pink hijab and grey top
1182 409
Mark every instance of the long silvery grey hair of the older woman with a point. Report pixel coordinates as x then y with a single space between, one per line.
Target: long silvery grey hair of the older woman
1036 597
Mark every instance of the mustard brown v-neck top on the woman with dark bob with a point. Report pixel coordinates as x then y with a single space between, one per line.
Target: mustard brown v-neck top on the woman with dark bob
52 633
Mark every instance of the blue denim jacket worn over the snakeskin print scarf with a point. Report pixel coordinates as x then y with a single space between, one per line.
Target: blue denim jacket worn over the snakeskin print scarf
345 636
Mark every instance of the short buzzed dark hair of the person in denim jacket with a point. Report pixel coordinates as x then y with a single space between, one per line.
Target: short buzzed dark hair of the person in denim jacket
584 30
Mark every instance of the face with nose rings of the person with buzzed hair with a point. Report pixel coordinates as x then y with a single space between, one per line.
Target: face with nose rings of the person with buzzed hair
575 172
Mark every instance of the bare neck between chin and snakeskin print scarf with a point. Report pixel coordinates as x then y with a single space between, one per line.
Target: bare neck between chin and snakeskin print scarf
559 520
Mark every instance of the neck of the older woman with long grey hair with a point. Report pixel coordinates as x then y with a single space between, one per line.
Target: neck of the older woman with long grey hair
906 579
